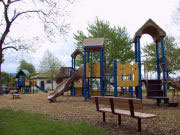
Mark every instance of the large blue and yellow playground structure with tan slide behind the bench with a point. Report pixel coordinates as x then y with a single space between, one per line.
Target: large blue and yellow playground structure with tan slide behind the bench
124 75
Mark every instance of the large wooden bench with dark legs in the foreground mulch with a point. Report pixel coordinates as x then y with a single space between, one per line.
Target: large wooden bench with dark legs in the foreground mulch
121 106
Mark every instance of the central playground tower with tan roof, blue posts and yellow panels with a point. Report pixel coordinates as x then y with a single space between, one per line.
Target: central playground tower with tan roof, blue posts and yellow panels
93 70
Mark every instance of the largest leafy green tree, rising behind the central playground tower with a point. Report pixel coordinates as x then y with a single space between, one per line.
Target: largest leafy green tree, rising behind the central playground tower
118 44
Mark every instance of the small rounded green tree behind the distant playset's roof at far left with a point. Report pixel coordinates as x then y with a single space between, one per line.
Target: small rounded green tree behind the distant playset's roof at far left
27 66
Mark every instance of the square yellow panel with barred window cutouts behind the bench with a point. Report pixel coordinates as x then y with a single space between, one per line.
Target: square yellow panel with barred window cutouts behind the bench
127 74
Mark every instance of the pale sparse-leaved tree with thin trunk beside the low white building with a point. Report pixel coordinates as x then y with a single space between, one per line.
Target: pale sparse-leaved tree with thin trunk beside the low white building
50 64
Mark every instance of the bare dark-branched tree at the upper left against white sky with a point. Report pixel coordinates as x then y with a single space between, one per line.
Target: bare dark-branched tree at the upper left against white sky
52 15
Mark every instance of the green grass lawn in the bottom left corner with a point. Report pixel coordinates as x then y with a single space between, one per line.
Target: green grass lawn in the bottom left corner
21 123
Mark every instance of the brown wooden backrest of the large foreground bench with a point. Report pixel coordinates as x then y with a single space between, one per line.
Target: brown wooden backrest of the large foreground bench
130 104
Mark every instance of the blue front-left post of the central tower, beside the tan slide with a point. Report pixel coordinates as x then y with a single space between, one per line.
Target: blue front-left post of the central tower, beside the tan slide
84 87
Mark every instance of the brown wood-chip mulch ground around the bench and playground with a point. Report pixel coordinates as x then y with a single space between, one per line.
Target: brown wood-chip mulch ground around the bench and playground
69 108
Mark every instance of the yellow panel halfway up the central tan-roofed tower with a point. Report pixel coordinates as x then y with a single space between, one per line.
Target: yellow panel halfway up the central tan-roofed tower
95 71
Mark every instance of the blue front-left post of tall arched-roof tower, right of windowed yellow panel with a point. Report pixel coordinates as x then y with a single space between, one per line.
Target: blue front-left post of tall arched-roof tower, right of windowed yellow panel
139 67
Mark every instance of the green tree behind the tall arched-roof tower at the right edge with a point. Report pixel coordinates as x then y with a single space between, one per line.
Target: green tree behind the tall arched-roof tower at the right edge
172 51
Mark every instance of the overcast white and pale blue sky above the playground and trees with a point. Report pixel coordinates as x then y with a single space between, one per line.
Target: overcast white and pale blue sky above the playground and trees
129 13
